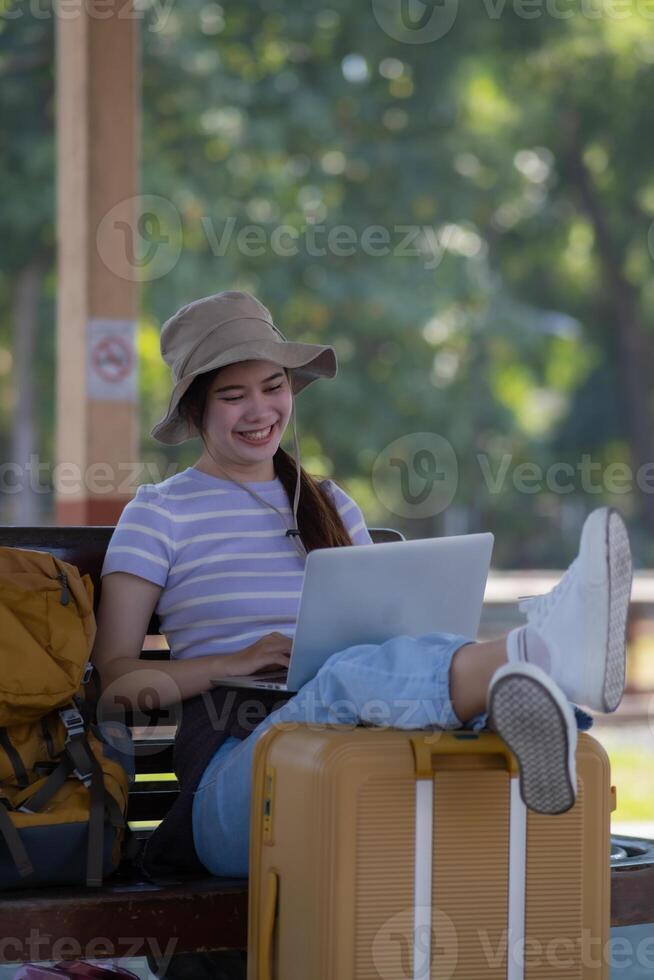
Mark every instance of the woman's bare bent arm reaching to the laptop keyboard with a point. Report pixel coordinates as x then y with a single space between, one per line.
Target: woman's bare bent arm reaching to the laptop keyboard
126 606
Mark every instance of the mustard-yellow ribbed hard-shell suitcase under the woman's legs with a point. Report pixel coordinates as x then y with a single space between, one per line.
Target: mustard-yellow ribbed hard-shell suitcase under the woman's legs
332 850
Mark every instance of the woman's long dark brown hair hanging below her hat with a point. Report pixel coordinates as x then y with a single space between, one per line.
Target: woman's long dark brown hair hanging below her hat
318 521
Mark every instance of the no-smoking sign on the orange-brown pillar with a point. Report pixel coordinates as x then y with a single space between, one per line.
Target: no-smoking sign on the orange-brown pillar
111 360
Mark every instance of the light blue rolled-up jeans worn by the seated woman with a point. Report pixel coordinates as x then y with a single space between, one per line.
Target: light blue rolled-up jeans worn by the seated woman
402 683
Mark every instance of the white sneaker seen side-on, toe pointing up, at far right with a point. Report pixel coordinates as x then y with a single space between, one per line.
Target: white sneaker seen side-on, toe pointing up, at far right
583 620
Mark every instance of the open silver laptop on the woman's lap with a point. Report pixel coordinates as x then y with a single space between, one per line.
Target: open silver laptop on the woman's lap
370 593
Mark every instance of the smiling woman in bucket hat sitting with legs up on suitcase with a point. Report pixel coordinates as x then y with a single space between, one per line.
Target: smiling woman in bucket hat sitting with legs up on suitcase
218 551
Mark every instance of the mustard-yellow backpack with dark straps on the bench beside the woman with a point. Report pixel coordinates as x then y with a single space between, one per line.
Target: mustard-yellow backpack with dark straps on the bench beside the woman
63 785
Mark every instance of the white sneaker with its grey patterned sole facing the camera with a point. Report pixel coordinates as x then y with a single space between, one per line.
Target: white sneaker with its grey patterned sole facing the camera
532 715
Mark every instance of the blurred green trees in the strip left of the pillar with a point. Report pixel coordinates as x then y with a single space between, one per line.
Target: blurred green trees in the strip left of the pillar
26 249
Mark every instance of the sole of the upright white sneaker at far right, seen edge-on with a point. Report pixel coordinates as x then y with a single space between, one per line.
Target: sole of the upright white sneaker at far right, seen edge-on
620 576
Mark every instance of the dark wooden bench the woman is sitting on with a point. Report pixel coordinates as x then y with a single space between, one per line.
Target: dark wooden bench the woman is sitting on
130 916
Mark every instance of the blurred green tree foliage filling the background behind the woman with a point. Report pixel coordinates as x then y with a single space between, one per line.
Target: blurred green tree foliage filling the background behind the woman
499 332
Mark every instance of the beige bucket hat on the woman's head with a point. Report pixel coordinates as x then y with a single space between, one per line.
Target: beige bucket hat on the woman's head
223 329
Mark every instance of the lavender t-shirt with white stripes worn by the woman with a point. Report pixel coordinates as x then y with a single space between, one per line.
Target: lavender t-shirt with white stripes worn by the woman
229 573
